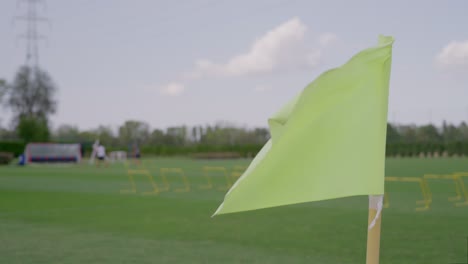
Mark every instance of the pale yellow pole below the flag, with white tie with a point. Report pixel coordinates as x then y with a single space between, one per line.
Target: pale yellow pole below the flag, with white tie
373 232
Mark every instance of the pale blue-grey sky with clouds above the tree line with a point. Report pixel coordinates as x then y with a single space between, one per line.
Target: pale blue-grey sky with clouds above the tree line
198 62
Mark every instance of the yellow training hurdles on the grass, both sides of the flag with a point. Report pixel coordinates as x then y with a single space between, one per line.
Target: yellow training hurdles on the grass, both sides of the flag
209 172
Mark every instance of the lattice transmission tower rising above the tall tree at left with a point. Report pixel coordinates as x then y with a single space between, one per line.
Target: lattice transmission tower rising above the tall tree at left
32 35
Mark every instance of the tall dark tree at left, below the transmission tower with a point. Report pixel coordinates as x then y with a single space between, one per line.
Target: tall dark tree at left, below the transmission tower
31 99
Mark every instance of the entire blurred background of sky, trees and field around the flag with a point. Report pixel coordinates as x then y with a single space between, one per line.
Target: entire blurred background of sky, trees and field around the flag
161 106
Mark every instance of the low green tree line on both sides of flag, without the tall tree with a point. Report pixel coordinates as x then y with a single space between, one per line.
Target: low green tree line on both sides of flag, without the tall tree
402 140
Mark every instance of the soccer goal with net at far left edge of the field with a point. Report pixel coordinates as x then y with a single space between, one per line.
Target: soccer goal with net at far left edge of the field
52 153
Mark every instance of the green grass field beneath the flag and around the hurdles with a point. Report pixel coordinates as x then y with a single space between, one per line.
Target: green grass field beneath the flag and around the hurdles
77 214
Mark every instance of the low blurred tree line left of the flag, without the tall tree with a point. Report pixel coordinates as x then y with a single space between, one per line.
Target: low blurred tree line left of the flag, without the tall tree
177 140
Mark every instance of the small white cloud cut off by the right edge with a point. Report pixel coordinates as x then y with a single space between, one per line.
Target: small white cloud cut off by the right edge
453 54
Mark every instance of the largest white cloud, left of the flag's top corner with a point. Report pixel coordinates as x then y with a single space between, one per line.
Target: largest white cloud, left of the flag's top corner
280 48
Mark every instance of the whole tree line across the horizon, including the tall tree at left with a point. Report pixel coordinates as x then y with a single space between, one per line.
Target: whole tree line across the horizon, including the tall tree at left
30 97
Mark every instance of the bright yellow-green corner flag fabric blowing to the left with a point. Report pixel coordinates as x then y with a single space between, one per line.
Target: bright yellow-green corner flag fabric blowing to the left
326 143
